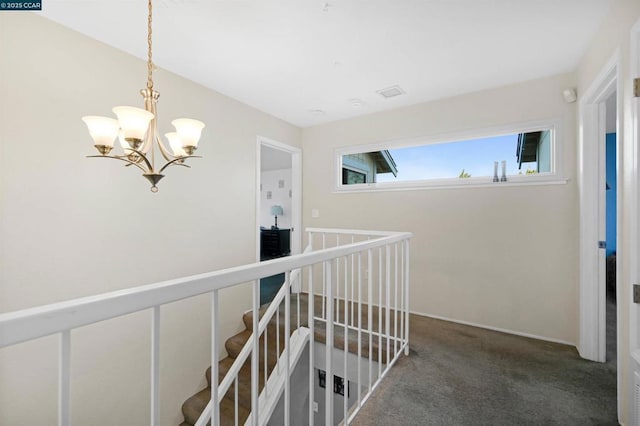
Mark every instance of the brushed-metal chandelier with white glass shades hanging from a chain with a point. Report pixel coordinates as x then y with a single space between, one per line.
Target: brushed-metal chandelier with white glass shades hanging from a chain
137 133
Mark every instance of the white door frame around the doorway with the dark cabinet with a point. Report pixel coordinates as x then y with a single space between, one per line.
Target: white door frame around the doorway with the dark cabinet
296 190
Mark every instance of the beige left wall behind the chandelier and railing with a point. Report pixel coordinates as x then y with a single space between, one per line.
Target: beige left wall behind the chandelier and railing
73 227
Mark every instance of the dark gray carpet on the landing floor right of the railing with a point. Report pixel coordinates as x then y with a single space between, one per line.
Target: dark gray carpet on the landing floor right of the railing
461 375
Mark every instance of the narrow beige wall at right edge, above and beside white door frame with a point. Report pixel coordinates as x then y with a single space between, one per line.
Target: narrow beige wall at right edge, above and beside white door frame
614 38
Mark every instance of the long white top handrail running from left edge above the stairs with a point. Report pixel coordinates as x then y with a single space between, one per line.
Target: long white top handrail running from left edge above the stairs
28 324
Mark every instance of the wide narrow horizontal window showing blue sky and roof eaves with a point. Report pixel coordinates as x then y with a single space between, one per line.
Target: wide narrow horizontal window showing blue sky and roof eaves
518 156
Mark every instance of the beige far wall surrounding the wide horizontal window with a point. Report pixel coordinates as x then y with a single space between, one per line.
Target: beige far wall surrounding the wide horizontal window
501 257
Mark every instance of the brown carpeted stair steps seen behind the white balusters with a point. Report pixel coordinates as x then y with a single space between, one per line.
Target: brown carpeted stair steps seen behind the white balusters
193 407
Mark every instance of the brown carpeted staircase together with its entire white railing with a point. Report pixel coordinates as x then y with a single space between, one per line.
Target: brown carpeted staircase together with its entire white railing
366 268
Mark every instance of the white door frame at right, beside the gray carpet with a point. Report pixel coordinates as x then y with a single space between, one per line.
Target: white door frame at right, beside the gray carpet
591 178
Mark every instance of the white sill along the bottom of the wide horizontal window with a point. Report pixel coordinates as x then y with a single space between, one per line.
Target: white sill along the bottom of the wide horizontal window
452 184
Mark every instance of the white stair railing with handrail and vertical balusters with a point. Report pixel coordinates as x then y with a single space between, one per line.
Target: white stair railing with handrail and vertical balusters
364 249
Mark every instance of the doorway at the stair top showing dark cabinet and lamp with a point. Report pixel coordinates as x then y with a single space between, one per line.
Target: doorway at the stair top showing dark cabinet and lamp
278 207
